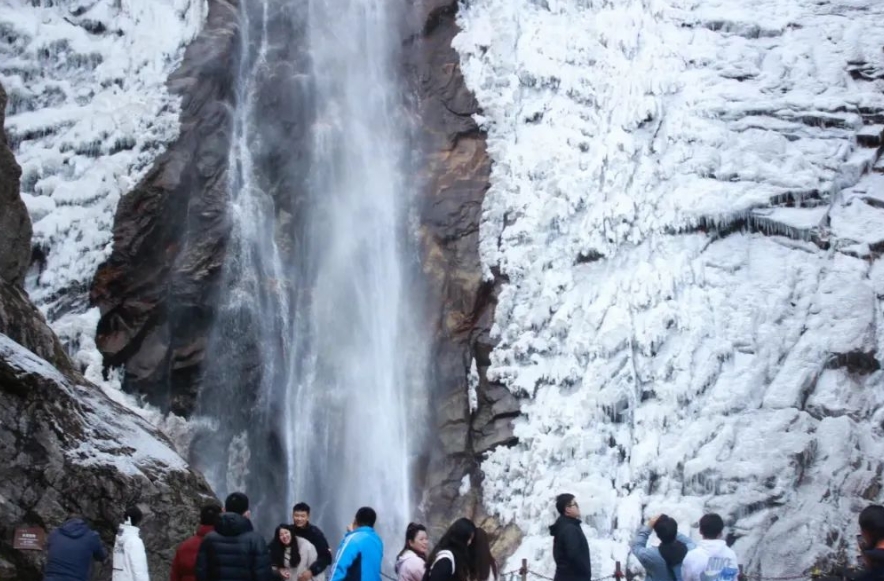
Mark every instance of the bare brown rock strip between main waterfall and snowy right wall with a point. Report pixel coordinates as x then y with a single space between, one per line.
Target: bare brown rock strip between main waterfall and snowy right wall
456 169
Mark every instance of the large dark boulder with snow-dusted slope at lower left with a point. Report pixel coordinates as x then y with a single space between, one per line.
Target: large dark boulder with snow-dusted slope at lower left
67 447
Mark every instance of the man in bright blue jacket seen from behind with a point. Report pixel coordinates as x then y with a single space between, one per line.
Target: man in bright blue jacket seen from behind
361 552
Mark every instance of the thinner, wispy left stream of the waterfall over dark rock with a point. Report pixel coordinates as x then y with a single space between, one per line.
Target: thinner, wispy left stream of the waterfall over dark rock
245 371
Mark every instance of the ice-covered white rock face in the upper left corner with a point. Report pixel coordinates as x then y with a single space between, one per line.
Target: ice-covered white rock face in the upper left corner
88 113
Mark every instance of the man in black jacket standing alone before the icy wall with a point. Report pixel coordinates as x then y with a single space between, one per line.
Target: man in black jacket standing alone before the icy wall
570 549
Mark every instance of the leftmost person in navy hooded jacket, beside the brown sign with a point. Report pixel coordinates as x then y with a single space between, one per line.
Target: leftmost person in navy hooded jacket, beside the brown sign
71 549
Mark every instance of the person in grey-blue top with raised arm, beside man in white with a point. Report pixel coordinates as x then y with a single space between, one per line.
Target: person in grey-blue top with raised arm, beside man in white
662 563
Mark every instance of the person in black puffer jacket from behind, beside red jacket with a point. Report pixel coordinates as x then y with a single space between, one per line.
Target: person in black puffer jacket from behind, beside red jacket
234 551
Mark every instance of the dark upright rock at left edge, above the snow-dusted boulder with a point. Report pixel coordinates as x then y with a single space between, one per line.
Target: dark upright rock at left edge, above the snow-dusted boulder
15 223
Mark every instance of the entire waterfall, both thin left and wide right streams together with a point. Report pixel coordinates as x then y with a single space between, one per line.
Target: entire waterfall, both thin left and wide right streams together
315 369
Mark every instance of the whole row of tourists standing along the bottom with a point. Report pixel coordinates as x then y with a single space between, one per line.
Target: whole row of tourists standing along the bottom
227 548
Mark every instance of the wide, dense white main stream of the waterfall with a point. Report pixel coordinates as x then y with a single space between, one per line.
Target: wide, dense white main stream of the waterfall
358 358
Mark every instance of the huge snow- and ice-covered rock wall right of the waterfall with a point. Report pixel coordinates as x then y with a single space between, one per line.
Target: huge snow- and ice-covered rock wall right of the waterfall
682 207
